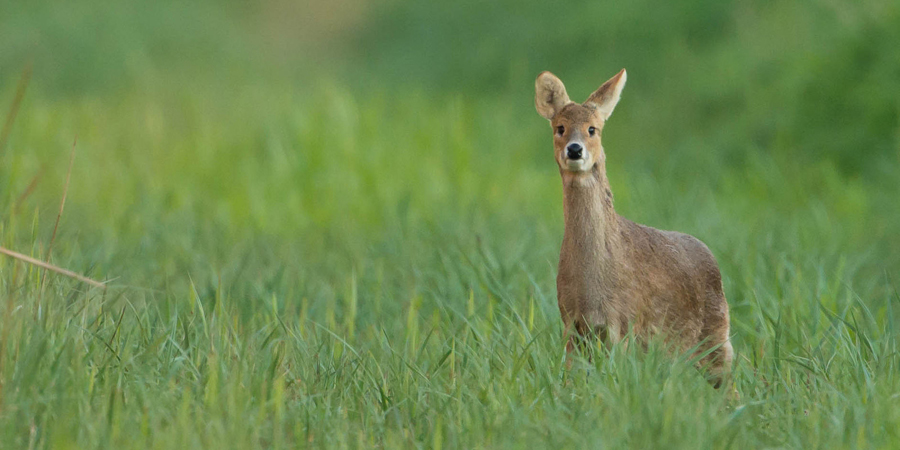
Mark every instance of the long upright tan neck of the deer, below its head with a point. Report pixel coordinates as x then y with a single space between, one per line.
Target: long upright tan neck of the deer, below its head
592 229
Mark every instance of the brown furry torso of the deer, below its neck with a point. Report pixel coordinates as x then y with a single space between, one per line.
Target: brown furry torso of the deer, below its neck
661 281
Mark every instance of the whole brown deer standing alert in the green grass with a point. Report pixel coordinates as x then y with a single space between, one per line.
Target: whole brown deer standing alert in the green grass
616 275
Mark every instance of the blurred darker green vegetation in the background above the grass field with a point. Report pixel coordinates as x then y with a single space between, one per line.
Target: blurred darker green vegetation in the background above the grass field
802 80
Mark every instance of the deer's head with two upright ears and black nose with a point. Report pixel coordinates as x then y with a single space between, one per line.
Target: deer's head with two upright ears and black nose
576 127
